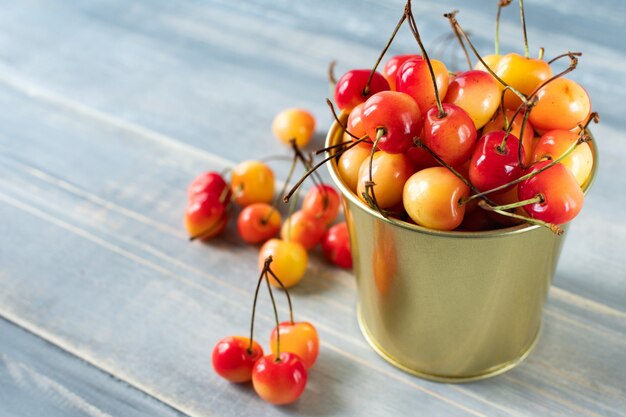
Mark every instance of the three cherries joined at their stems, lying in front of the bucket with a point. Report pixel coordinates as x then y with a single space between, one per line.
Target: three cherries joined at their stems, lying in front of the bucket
279 377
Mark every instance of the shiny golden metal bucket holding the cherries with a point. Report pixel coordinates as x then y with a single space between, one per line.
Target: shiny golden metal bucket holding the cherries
448 306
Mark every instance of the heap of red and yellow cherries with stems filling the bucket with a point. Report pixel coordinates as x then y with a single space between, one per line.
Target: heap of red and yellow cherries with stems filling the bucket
508 136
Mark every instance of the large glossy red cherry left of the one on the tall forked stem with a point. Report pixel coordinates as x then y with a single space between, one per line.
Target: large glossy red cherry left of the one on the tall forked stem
399 117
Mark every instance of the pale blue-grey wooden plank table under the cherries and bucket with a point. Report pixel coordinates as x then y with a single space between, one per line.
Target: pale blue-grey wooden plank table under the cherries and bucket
110 108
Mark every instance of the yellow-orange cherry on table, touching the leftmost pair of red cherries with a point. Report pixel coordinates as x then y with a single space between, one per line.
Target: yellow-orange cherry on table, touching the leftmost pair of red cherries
252 182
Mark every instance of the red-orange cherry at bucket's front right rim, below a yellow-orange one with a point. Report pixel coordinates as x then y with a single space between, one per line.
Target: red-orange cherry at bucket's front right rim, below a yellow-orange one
561 196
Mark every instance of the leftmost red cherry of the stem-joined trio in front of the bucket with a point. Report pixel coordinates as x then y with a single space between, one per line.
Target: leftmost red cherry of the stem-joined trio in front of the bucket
233 359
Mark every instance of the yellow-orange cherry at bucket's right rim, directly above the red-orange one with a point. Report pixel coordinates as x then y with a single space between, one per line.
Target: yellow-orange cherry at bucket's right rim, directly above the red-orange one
554 143
